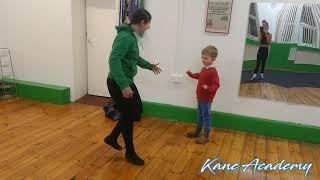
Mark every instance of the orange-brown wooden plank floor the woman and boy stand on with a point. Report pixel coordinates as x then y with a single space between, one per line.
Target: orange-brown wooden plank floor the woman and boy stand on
44 141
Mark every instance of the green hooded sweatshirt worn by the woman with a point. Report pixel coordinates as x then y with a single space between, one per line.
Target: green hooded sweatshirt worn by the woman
124 57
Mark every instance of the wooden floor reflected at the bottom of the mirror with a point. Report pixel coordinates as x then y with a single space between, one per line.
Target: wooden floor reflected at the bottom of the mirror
297 95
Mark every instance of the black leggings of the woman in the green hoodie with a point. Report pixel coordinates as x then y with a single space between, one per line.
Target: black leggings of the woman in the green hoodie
130 109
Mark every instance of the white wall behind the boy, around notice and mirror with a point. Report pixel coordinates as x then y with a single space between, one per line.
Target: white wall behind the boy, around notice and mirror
160 45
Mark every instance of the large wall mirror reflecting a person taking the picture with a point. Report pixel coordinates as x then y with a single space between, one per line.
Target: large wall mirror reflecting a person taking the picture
282 53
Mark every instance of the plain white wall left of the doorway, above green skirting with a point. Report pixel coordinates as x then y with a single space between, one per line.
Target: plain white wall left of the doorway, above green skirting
40 35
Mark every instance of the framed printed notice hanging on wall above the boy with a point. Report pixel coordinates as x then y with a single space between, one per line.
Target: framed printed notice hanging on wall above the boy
218 16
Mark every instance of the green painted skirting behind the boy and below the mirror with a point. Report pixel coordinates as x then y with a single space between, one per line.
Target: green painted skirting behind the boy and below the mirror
237 122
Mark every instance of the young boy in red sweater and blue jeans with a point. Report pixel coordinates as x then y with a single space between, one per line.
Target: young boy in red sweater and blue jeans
208 84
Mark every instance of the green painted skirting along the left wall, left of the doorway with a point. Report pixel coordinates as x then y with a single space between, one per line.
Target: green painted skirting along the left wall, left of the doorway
42 92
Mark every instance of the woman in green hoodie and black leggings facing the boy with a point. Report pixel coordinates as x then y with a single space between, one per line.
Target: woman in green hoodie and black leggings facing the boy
123 62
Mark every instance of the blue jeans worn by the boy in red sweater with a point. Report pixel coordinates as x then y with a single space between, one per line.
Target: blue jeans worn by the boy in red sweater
204 116
